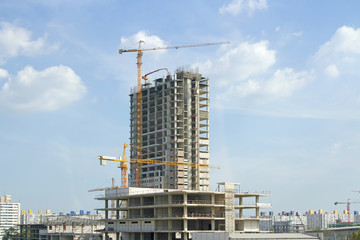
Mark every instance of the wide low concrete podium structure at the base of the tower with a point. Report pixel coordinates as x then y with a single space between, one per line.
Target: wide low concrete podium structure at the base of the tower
176 214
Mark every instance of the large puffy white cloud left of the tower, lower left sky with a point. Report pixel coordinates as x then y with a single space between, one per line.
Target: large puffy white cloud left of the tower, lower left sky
46 90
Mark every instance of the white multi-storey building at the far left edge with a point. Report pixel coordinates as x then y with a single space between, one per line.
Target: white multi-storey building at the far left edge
9 214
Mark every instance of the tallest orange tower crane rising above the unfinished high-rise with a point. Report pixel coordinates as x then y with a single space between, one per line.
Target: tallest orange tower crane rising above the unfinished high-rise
139 52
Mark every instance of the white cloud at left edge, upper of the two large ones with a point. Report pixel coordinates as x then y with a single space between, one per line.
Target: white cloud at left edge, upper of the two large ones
16 40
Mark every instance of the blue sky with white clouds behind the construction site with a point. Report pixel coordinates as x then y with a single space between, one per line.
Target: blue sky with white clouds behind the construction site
285 94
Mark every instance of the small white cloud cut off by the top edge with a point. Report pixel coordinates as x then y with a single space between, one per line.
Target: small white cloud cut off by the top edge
238 6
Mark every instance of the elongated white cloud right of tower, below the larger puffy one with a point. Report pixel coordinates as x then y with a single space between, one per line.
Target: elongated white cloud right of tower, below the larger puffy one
282 84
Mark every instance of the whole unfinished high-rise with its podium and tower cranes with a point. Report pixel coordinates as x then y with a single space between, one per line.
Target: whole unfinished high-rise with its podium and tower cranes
165 191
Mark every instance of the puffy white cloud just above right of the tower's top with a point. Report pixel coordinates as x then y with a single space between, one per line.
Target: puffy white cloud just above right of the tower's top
239 63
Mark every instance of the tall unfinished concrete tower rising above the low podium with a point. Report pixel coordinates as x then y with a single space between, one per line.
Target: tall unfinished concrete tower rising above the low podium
175 127
